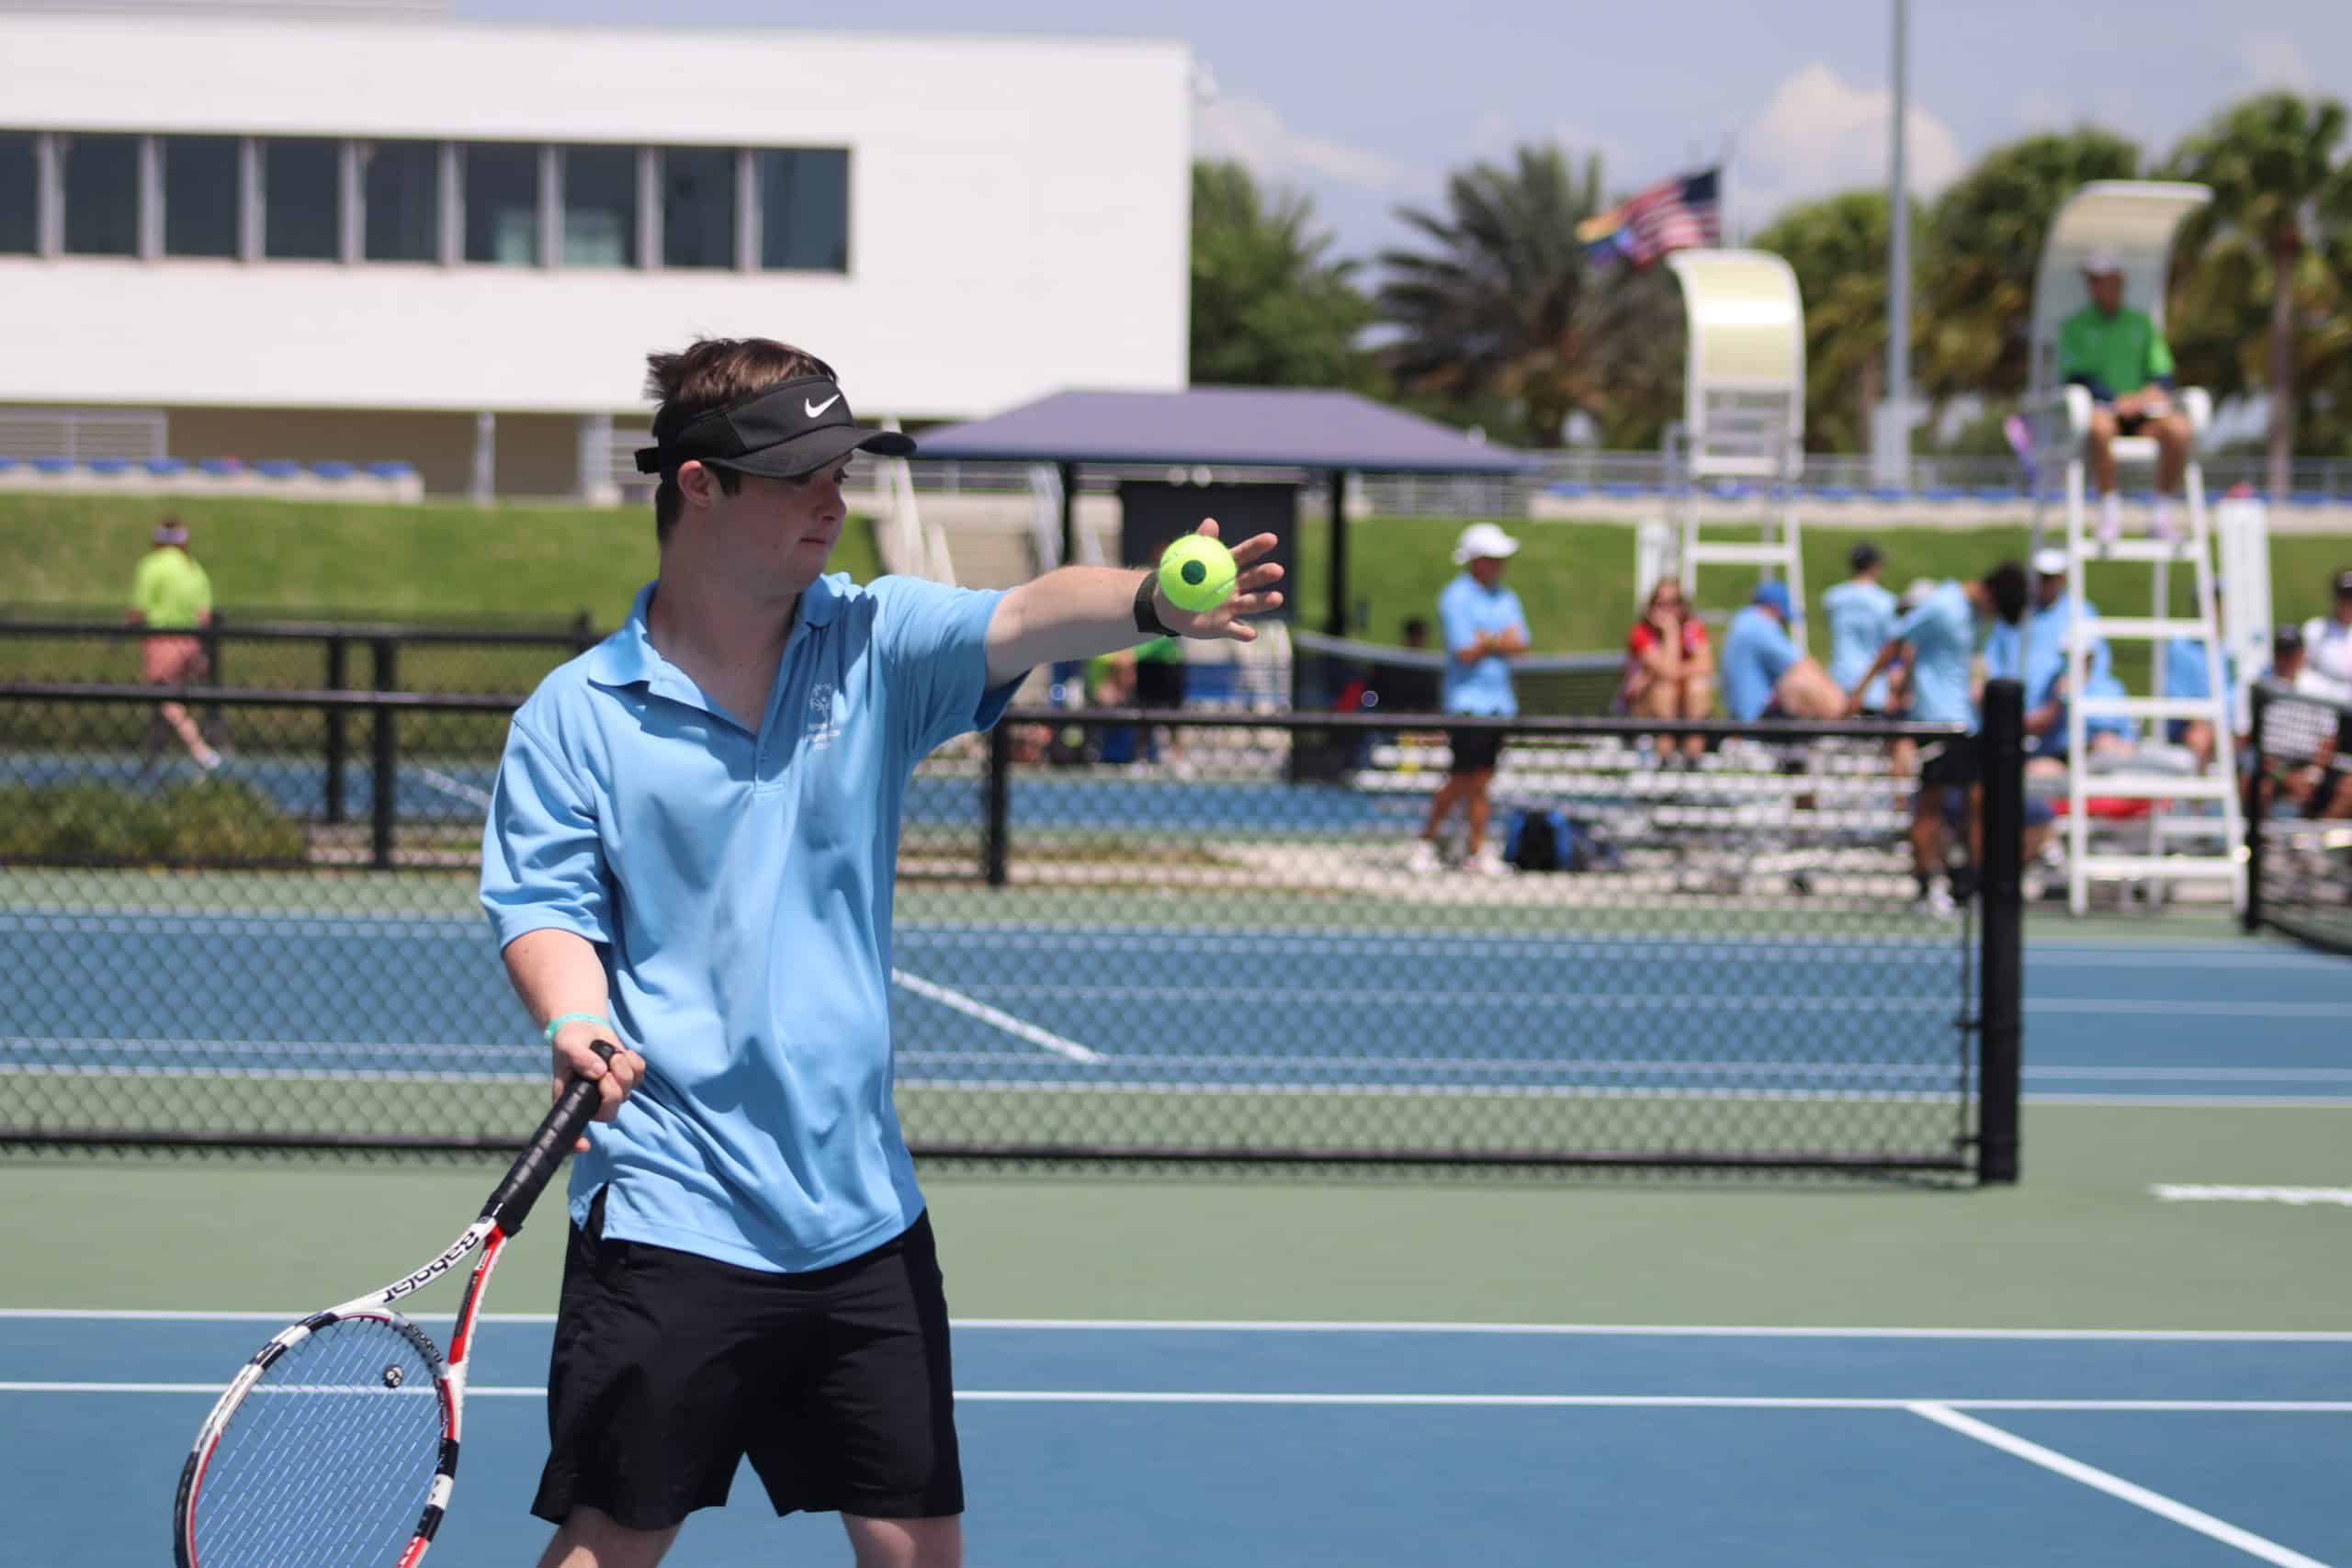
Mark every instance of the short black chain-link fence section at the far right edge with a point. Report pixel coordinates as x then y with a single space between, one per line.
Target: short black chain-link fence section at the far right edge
2299 817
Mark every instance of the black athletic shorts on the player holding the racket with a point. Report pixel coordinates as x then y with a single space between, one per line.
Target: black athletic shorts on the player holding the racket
671 1367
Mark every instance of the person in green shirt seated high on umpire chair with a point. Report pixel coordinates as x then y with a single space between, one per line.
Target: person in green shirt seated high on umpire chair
2120 359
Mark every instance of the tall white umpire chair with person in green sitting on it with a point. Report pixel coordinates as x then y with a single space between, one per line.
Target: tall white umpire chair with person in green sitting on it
2134 220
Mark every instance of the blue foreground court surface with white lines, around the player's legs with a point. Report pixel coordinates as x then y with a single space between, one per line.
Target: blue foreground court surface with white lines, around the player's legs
1163 1445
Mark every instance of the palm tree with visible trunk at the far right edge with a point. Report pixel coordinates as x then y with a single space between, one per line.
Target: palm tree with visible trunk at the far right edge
2269 161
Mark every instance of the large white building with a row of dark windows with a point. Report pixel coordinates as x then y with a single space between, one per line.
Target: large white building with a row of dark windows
307 239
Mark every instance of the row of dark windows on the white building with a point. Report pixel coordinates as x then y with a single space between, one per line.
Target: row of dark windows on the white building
486 203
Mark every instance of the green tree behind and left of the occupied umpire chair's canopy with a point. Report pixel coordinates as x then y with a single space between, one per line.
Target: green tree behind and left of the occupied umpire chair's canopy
1984 246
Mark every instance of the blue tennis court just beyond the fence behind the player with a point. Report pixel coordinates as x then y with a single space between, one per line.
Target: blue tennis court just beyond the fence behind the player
1081 1005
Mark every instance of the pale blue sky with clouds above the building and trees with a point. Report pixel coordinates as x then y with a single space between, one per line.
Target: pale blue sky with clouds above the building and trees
1370 105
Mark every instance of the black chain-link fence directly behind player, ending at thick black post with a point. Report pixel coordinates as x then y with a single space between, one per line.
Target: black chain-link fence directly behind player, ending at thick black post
1118 937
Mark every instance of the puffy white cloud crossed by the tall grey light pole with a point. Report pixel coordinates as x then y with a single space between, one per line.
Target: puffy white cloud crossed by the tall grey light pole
1822 133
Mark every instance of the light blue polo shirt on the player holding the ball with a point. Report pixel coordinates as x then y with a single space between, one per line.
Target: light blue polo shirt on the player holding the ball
740 892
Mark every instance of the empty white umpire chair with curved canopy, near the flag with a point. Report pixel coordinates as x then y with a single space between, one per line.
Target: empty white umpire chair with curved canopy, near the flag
1744 413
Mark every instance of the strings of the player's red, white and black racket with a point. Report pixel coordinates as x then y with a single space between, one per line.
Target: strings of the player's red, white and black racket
330 1456
